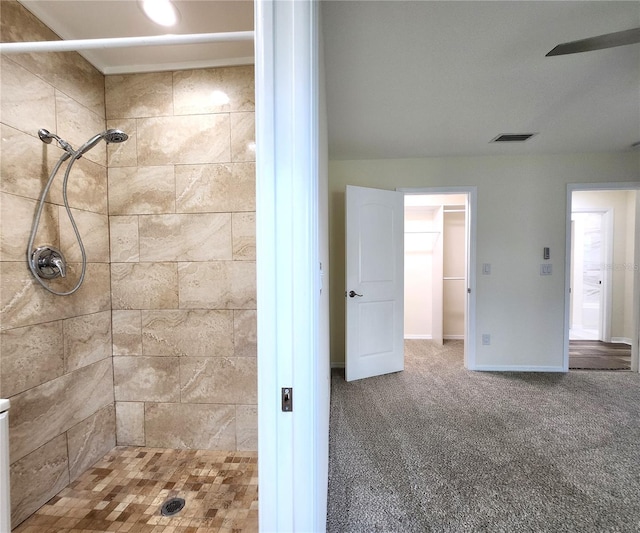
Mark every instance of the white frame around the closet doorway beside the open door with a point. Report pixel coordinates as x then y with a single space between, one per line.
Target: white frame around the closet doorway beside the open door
470 322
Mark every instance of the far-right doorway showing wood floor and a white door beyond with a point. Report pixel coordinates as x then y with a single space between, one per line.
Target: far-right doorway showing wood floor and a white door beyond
602 321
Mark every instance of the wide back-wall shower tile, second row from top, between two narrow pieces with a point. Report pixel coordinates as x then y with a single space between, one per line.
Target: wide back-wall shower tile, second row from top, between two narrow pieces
184 140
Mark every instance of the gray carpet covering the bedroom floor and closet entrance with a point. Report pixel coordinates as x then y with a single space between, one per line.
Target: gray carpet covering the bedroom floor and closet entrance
438 448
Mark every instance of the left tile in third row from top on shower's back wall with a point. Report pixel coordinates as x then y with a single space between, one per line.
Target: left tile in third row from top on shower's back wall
141 190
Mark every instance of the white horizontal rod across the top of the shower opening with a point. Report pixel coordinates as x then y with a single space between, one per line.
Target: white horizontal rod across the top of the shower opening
74 45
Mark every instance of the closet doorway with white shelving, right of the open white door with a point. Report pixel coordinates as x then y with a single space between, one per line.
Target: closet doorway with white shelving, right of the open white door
439 268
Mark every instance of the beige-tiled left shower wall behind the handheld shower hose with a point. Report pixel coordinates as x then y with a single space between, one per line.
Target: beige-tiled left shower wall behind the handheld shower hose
63 93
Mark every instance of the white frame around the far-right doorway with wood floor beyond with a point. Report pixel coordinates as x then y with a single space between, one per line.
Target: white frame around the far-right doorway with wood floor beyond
613 186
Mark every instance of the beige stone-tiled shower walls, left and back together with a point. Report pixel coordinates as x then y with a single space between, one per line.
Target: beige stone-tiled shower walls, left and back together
158 347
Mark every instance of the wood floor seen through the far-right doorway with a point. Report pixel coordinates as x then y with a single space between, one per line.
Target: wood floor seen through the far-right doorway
597 355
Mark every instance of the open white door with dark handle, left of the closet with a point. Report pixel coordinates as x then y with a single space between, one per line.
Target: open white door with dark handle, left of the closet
374 282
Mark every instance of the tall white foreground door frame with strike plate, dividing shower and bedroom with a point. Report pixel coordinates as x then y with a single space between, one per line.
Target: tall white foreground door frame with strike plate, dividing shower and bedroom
292 467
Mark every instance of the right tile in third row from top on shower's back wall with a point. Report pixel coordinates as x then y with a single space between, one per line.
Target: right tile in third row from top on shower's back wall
215 188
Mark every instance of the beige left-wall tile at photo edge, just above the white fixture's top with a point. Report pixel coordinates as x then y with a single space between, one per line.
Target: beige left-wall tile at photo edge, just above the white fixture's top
30 356
